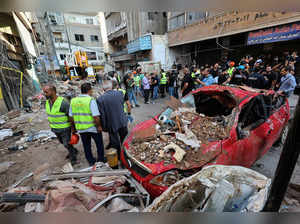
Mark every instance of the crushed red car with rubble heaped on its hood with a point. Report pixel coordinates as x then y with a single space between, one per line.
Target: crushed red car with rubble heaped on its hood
255 120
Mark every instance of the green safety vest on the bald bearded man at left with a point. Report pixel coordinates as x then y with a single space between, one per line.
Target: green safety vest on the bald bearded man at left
57 120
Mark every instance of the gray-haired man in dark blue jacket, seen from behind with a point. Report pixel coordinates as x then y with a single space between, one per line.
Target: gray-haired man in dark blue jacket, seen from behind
113 118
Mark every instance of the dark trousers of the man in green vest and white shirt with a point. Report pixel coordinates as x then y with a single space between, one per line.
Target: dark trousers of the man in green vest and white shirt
87 145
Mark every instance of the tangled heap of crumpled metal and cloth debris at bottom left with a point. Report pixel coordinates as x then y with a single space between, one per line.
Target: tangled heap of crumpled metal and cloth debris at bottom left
93 189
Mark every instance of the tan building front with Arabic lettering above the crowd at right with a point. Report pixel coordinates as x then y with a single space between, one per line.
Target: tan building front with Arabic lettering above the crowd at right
204 38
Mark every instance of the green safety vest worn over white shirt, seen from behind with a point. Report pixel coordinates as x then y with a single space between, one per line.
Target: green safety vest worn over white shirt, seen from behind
82 113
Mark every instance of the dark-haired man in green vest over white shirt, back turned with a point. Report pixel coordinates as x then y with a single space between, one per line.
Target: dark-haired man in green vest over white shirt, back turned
85 118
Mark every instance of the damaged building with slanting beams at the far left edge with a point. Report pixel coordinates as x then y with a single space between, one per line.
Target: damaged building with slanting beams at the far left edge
17 72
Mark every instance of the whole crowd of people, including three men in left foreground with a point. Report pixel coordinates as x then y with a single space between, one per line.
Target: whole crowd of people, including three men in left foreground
111 112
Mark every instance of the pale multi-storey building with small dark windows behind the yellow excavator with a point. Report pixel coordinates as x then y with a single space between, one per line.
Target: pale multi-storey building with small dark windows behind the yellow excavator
64 33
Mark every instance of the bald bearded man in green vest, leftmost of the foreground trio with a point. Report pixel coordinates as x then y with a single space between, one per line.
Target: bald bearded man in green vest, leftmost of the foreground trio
57 109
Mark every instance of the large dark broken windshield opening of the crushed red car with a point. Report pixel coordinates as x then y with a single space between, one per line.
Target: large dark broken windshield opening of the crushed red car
214 104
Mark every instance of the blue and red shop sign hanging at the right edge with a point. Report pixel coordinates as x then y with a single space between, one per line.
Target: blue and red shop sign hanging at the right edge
275 34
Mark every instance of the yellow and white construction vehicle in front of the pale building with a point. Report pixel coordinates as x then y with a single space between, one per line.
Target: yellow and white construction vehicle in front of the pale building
77 66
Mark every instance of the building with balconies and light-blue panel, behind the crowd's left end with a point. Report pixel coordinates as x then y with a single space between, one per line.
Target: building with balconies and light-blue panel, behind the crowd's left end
132 35
